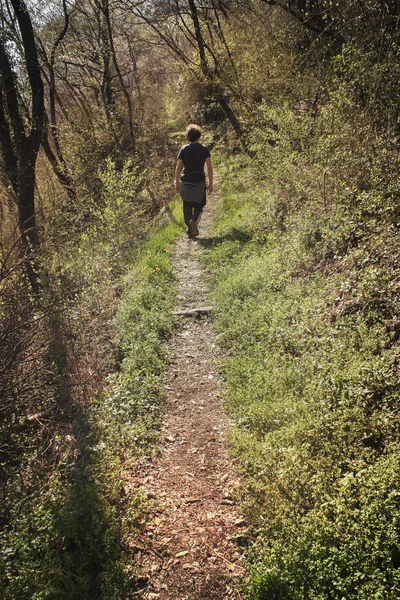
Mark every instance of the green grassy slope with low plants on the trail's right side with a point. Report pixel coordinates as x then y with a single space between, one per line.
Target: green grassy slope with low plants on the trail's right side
305 278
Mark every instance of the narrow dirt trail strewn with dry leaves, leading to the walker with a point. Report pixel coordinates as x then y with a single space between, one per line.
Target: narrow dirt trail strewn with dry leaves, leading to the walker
193 551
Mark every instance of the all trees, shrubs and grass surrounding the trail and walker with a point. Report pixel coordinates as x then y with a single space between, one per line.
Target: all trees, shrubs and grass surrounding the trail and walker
302 105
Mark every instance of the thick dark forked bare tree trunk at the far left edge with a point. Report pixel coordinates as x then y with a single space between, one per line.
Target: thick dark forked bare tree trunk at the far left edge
21 124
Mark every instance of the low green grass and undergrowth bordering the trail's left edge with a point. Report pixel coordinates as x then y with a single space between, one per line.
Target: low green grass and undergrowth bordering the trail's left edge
66 532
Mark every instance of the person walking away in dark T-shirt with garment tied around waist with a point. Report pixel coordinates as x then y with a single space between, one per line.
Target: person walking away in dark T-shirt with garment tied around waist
191 184
